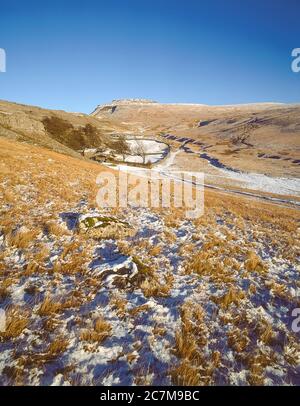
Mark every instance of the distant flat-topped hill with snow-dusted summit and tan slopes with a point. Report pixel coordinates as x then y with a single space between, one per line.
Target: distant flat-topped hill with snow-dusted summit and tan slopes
262 138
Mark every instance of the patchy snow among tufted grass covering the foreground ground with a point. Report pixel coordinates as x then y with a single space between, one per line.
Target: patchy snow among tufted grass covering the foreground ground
140 346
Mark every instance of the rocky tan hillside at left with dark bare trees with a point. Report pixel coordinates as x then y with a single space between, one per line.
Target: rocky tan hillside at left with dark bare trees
55 129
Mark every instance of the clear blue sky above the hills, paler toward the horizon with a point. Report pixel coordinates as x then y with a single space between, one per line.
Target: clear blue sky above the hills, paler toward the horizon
74 55
